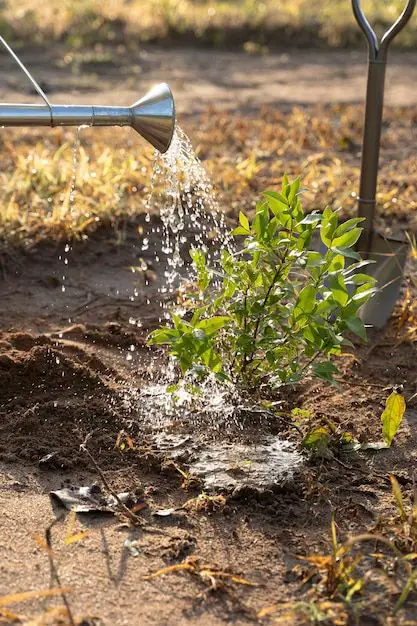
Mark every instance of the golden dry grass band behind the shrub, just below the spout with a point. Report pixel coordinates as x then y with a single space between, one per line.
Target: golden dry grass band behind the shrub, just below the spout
243 155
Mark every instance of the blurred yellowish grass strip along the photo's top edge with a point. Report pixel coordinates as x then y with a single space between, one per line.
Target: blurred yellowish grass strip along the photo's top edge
272 23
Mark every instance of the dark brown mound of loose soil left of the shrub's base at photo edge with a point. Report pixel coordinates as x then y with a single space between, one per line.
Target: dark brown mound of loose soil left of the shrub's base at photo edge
51 397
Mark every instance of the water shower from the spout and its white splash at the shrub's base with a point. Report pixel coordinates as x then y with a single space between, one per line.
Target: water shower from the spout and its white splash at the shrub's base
182 194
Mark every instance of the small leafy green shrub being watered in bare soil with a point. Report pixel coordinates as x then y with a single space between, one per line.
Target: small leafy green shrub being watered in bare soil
274 310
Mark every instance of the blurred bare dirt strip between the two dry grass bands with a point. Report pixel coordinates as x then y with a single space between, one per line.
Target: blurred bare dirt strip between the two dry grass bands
200 78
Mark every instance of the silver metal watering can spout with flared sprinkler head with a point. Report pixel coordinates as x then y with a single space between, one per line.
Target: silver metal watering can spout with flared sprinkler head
153 116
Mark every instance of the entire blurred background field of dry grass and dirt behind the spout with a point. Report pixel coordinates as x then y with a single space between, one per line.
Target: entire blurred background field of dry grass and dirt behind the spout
107 50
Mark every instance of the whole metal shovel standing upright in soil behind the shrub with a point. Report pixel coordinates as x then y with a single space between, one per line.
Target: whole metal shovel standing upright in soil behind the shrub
389 255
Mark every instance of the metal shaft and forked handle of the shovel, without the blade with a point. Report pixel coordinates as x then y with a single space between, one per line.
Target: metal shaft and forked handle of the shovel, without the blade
373 114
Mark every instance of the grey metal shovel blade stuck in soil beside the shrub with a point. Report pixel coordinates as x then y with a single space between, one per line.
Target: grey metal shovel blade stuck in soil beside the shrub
389 256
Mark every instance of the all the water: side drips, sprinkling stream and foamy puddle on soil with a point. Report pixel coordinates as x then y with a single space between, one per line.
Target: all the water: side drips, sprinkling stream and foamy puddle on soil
182 196
